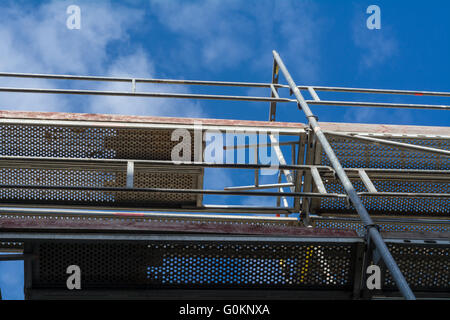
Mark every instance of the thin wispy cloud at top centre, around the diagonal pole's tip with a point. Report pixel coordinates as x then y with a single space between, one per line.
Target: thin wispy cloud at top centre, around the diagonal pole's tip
229 33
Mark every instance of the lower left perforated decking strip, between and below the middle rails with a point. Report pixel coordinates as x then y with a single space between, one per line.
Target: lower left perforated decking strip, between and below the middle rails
97 176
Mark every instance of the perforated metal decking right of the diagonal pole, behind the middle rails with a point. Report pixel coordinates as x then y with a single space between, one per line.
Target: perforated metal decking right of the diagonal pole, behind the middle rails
355 154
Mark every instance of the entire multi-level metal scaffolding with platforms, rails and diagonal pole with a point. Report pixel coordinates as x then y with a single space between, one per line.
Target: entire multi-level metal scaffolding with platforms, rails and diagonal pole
78 186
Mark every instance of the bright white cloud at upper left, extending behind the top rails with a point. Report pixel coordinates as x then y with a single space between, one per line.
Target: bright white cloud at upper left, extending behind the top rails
36 40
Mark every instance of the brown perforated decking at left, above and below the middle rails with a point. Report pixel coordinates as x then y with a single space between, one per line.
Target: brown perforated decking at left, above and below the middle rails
105 143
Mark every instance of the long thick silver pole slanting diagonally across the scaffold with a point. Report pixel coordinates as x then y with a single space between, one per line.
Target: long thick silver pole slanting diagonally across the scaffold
372 231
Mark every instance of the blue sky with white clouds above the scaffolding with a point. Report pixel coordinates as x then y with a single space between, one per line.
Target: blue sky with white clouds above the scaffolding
322 43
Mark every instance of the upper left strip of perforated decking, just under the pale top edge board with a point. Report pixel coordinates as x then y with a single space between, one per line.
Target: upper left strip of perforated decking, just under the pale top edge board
86 142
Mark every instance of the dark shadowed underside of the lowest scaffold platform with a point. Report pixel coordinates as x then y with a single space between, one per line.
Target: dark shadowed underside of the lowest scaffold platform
189 260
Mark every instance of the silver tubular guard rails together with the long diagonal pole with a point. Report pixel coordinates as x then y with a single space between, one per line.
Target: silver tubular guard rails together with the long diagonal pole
294 178
